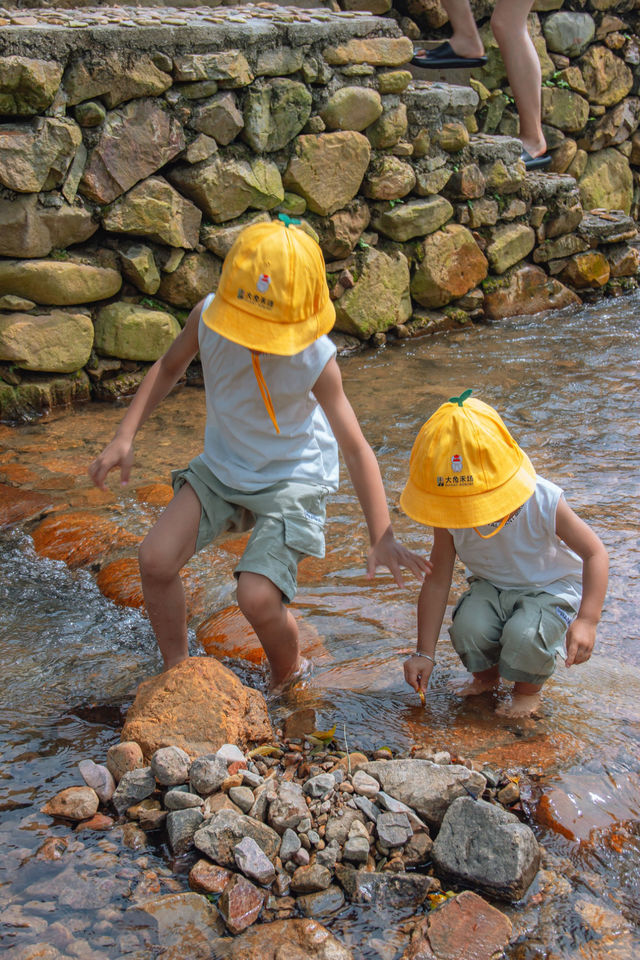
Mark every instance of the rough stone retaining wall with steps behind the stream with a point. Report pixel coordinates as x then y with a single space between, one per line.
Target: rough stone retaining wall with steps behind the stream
132 152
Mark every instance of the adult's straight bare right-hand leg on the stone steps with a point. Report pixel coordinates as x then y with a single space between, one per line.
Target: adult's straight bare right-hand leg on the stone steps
509 25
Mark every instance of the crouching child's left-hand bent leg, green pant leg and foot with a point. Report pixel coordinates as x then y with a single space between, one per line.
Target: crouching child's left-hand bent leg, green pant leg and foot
475 633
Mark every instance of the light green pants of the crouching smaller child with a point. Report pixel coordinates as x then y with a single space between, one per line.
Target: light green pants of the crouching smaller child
519 630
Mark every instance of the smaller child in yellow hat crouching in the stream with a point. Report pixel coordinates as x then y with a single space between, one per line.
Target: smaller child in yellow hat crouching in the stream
536 571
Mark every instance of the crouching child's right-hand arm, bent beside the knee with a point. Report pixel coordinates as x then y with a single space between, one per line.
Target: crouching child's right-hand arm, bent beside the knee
580 538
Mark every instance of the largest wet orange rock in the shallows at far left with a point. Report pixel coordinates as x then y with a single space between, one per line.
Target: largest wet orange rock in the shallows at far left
80 538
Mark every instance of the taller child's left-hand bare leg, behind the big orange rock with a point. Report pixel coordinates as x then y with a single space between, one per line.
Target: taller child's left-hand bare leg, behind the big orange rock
162 554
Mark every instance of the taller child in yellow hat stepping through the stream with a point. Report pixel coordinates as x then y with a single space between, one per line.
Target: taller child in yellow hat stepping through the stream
270 456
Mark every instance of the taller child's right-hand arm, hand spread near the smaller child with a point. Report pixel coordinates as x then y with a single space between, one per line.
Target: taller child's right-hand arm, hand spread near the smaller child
365 474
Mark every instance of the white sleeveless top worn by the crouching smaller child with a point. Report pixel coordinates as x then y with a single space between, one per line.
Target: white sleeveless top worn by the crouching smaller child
527 553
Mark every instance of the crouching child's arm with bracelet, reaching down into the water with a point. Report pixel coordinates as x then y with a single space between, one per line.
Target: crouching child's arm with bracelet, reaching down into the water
431 606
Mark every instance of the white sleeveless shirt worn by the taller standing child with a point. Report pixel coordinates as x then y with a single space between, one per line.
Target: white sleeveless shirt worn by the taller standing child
241 446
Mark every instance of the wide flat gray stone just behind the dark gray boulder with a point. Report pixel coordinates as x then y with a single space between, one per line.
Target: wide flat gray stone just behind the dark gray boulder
426 787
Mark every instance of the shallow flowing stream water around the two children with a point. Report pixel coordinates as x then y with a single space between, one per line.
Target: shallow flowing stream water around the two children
568 386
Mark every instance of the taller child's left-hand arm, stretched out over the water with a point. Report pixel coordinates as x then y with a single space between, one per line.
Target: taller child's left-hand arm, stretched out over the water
160 379
